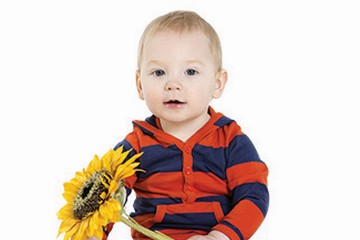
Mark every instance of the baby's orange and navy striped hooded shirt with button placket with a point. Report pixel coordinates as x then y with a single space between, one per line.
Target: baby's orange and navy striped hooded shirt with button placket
213 181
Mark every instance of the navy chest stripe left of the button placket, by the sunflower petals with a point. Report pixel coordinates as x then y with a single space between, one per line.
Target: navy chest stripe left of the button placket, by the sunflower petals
160 159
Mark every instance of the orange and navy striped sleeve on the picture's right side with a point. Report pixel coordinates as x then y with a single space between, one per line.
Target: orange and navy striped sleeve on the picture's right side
247 180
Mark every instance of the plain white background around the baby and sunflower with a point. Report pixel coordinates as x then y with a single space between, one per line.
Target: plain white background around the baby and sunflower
67 92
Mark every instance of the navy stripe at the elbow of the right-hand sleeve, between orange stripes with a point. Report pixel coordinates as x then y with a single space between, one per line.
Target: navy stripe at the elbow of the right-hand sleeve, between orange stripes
256 192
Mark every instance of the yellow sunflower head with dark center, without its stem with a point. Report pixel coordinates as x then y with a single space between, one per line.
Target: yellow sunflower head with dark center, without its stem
90 195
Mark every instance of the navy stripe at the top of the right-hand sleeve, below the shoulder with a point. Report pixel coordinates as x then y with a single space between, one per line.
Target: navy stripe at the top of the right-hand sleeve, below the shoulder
242 150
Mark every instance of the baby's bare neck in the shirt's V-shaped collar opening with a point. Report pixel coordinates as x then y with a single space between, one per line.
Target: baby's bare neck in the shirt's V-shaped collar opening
184 130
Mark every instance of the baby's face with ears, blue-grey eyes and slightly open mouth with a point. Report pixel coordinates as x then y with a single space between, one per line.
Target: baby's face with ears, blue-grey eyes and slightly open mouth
177 76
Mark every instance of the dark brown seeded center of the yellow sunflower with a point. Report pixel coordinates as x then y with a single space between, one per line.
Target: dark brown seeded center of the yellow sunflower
92 194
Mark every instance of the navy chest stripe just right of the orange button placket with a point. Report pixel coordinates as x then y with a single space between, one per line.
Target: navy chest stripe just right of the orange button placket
209 159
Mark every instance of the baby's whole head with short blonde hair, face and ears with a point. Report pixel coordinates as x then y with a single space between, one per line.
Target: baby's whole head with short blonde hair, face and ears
179 68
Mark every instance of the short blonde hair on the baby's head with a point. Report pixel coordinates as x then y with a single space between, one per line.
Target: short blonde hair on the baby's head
181 21
